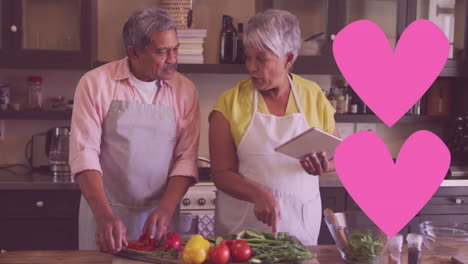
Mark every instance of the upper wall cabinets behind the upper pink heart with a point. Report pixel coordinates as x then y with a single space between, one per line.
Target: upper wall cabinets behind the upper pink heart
392 16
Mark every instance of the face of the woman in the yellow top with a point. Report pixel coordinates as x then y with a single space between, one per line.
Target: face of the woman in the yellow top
265 68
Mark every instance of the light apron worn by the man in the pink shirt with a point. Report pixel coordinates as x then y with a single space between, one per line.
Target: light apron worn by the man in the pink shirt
137 146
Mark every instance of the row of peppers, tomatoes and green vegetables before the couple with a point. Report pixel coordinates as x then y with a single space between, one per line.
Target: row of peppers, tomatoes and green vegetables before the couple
248 246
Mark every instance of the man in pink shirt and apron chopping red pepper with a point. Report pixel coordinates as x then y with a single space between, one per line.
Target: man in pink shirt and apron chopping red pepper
135 137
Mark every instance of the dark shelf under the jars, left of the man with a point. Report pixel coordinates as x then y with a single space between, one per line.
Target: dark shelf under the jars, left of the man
35 115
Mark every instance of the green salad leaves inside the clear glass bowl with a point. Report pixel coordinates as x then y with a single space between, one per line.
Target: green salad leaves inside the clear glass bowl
363 247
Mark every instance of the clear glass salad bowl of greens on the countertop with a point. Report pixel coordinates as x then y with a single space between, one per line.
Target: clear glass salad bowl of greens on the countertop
349 229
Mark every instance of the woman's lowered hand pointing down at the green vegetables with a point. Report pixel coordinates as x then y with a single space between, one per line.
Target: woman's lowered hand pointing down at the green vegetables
267 209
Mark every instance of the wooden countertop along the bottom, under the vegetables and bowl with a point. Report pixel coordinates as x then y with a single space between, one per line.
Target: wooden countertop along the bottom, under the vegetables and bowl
326 254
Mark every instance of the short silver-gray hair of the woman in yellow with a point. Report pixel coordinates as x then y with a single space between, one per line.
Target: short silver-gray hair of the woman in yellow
274 30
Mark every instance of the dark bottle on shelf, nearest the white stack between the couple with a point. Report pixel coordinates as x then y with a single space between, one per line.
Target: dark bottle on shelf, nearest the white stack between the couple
228 41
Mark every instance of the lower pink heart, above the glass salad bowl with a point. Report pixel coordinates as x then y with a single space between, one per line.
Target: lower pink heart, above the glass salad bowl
391 194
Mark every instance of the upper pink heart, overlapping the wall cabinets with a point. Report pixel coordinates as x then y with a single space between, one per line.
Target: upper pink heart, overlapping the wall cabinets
390 82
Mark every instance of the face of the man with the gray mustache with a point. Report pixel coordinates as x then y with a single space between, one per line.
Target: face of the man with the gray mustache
158 60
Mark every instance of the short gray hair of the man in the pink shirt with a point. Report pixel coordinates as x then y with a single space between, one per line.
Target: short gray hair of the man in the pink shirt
139 27
